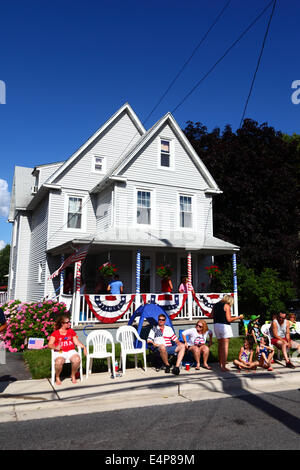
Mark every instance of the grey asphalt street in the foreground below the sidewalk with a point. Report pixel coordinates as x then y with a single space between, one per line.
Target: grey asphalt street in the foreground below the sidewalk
247 422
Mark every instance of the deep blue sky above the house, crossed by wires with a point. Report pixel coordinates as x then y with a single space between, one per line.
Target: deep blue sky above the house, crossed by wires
68 65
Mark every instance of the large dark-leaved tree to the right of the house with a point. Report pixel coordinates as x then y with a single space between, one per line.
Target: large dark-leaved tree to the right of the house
258 171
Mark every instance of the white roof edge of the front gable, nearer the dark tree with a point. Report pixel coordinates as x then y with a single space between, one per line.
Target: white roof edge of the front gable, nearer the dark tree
127 158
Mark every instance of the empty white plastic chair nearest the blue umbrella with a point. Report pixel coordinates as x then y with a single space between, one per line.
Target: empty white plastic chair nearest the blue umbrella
126 336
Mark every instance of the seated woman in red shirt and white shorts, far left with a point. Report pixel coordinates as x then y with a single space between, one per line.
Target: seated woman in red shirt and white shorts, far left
63 340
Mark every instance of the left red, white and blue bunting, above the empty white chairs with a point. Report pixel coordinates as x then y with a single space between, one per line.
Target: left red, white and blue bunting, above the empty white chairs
109 308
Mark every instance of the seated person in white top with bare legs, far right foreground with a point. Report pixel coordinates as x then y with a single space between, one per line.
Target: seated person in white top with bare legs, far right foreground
280 337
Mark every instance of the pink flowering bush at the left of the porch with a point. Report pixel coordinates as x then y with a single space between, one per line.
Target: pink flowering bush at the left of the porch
29 320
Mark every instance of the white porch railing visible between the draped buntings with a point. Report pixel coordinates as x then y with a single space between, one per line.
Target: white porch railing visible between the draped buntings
84 315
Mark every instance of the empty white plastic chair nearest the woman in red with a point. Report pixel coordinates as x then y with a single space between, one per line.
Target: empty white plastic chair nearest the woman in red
99 340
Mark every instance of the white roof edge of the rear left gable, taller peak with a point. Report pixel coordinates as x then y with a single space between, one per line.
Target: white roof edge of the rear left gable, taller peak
125 108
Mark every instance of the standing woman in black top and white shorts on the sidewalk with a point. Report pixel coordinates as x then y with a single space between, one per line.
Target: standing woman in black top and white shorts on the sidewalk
222 326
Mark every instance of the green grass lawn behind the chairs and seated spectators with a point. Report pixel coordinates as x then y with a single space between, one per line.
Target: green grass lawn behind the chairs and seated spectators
38 361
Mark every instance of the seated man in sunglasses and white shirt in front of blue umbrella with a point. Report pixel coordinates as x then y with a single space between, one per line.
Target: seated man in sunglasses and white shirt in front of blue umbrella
161 337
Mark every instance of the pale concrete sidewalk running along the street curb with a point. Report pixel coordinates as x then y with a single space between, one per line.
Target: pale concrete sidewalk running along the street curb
35 399
